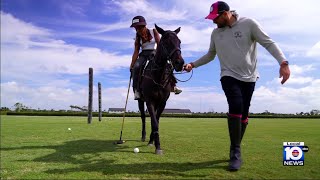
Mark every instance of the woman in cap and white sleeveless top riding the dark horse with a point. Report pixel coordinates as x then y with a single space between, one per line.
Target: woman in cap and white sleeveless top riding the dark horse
148 40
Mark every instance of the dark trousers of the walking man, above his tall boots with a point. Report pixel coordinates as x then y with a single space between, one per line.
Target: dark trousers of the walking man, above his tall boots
238 95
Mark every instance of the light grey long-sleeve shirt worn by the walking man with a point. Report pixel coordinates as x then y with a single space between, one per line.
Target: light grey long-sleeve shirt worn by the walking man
236 47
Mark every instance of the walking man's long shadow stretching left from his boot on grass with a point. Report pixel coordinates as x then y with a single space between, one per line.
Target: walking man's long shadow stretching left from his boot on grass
108 167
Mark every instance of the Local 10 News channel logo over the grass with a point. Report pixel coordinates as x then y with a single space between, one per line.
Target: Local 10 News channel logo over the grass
293 153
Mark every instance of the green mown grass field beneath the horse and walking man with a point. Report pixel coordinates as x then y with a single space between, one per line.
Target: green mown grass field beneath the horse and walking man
43 148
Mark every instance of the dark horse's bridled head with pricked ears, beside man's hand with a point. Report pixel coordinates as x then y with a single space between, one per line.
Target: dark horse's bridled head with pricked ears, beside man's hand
169 48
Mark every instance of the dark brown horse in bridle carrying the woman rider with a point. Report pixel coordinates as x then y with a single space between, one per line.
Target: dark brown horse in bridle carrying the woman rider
156 81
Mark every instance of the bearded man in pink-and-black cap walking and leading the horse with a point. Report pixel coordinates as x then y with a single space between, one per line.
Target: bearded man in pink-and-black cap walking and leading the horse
235 44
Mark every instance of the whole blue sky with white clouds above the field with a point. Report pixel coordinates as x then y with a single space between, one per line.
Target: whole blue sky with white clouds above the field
48 46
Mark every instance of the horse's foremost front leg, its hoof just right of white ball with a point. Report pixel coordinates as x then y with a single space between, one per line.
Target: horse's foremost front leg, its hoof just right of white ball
155 127
